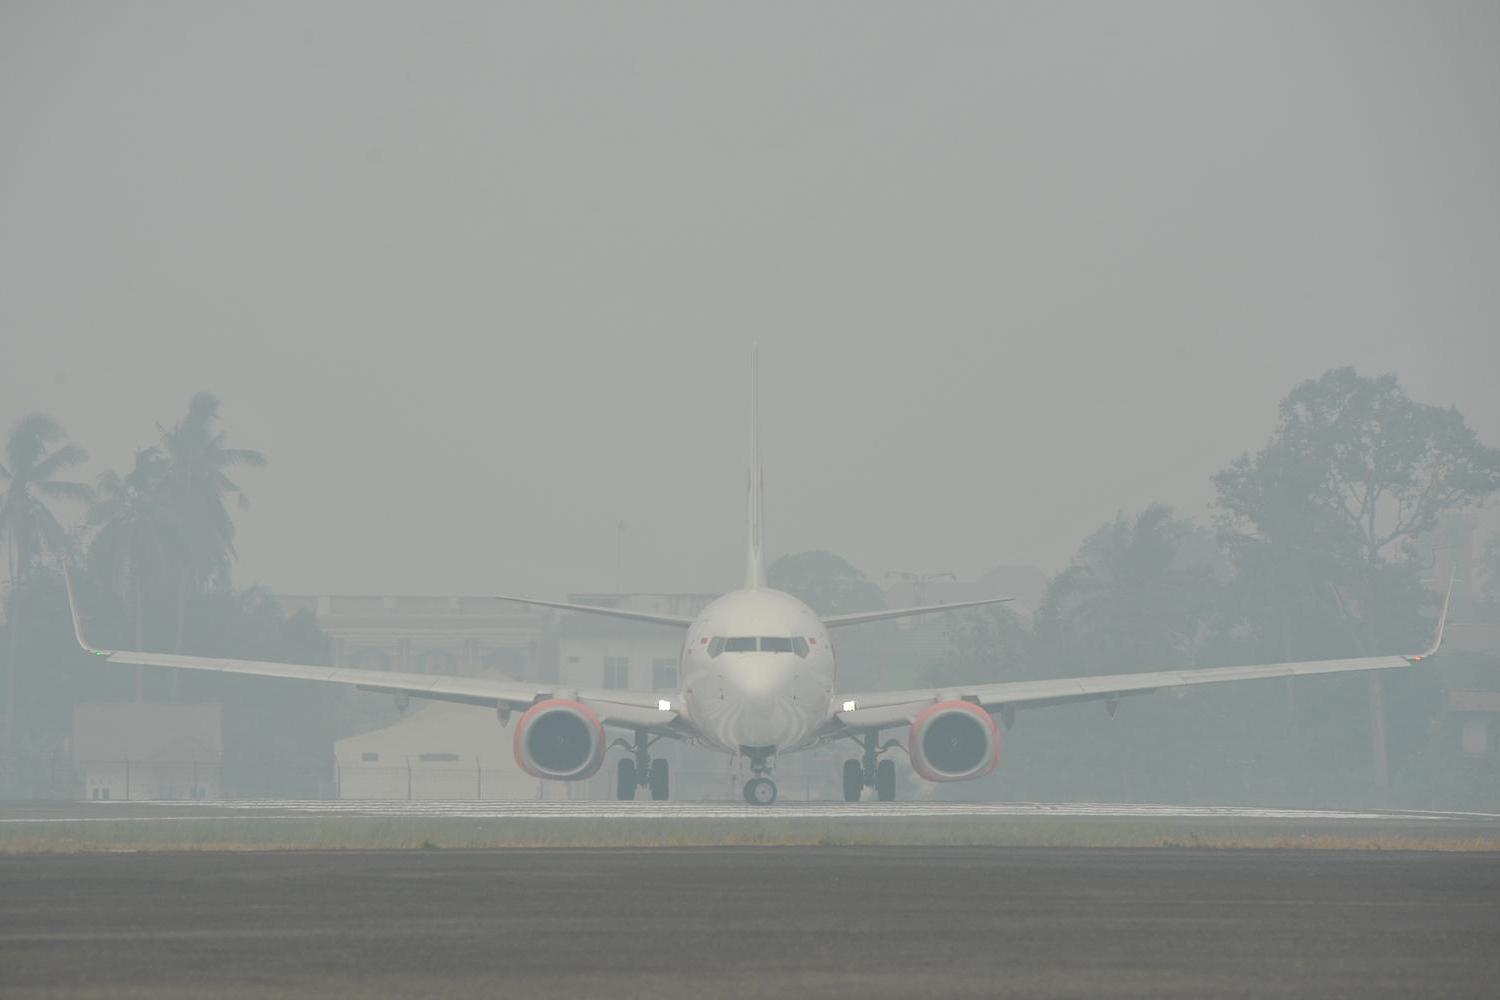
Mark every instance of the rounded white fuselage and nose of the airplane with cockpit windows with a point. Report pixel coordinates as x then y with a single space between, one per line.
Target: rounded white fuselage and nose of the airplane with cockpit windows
758 671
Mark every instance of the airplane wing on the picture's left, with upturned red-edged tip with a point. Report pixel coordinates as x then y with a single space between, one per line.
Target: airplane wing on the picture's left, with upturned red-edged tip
629 710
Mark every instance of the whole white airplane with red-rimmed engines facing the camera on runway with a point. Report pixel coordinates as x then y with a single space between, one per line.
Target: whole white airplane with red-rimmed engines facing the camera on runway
758 678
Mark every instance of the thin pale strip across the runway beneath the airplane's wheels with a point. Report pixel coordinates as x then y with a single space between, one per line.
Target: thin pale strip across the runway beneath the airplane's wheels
556 810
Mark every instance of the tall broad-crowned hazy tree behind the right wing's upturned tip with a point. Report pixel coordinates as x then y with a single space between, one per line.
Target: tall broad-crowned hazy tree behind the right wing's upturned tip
1327 525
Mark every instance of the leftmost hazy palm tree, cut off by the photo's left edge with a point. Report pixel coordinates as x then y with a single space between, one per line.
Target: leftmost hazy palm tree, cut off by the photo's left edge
35 454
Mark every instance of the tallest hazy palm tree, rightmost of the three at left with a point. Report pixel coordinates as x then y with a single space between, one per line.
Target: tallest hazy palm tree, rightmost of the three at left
196 488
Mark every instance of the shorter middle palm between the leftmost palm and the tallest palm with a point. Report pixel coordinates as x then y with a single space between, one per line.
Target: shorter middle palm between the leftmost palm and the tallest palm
137 534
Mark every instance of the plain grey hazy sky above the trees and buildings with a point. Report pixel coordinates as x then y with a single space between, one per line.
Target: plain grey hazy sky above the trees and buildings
481 280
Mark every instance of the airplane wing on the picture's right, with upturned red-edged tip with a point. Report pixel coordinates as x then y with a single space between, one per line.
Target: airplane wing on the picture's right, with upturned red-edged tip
896 708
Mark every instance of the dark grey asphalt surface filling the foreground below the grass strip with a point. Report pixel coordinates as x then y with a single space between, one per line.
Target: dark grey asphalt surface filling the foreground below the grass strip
752 923
